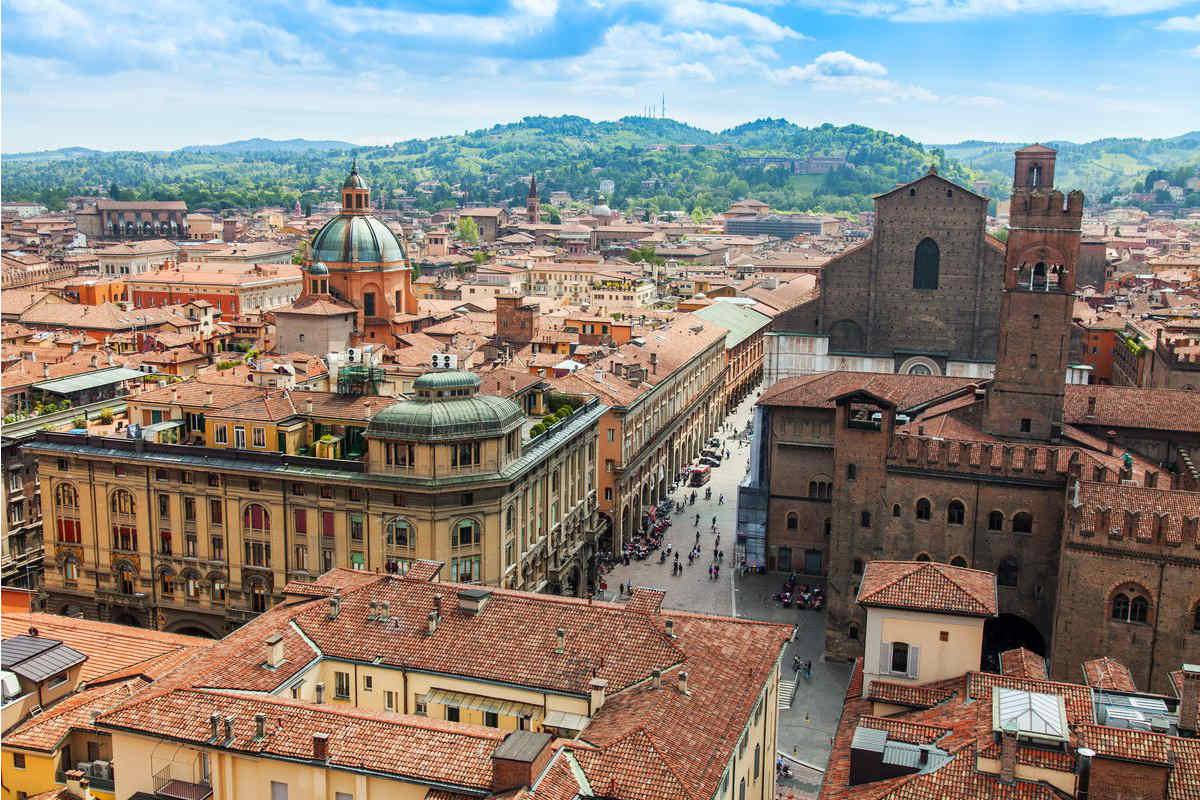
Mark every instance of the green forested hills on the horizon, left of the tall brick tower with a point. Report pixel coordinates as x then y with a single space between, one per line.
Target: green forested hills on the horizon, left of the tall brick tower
657 165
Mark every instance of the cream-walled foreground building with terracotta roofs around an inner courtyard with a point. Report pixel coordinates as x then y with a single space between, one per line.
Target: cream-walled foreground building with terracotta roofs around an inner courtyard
369 687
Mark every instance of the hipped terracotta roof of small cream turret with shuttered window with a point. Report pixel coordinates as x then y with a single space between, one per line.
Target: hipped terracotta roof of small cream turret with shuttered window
929 587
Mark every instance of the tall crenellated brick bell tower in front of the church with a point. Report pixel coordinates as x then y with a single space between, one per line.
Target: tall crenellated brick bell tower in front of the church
1025 401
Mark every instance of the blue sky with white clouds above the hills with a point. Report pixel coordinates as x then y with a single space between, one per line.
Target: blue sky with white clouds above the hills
111 75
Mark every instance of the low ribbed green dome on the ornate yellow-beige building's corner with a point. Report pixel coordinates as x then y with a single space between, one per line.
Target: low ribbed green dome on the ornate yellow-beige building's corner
447 408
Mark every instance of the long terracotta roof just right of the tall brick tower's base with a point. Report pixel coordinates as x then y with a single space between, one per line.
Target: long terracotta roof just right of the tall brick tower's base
1127 407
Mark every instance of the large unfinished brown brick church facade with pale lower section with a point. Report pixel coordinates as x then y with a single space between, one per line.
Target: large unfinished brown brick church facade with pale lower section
920 297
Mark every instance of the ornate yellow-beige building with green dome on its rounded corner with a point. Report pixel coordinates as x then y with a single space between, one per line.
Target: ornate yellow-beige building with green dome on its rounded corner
200 539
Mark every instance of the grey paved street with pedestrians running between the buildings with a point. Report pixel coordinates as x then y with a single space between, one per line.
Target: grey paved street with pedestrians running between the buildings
808 726
